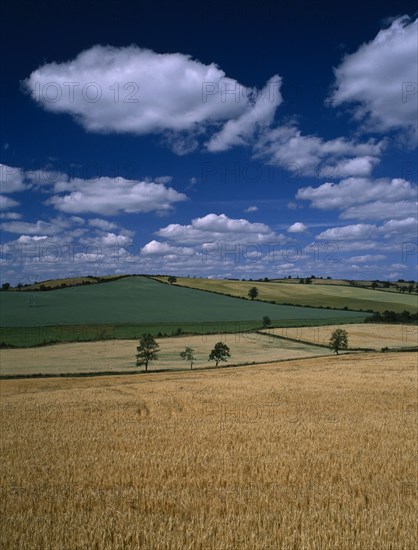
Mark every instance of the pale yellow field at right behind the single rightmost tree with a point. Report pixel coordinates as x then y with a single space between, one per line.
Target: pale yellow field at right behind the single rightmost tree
370 336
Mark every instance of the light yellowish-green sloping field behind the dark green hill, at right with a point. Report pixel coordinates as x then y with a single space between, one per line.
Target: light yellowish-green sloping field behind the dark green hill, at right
314 295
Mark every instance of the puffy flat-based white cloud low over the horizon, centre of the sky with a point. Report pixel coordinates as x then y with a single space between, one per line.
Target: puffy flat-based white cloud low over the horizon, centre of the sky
214 227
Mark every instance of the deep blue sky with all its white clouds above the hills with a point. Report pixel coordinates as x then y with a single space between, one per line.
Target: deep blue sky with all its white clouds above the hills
216 139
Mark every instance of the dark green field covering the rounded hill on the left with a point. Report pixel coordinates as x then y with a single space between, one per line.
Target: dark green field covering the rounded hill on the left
128 307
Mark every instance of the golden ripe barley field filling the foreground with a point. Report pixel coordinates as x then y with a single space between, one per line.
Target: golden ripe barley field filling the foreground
305 454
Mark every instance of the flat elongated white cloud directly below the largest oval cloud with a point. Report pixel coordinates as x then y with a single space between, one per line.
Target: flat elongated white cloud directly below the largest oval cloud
111 196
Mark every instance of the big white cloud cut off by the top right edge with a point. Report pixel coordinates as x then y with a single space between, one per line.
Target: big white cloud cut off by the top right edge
380 79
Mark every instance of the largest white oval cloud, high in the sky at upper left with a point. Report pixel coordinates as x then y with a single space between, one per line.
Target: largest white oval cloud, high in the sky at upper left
139 91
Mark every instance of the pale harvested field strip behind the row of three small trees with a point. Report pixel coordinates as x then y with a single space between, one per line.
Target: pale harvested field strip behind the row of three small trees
119 355
